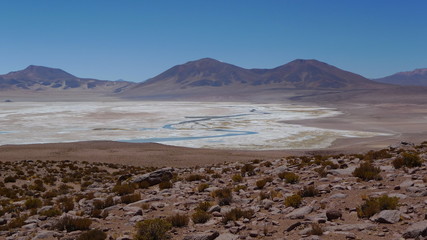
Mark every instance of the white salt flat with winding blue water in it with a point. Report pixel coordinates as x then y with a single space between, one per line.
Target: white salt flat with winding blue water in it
189 124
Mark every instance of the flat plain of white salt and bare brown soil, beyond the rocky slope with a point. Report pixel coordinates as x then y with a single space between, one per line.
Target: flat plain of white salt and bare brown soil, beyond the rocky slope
197 132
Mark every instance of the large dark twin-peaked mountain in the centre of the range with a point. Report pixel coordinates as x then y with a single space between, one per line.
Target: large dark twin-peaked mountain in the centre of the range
209 77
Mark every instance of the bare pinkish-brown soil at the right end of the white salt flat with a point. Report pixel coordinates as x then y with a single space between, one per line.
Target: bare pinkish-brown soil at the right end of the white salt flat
404 122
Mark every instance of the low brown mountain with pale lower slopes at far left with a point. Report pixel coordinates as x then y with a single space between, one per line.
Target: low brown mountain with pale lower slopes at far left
38 78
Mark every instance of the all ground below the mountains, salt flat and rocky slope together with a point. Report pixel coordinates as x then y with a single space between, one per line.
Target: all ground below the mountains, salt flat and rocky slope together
219 170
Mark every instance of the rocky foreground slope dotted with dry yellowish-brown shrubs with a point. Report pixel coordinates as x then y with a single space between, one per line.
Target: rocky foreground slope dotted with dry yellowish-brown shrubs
377 195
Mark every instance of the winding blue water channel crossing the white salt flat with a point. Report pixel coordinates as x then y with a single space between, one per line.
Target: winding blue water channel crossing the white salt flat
227 133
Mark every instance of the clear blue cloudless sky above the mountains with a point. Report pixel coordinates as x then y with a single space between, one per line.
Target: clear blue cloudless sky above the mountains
135 40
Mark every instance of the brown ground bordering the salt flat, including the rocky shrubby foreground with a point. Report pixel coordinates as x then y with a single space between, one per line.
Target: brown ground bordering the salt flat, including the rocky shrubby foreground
55 191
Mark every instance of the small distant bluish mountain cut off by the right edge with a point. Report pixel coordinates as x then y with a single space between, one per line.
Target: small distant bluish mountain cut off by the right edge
418 77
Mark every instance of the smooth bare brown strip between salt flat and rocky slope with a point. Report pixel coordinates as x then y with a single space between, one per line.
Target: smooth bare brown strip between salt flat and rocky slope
138 154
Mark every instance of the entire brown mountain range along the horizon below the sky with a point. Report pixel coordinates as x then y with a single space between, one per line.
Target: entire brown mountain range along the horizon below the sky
209 79
